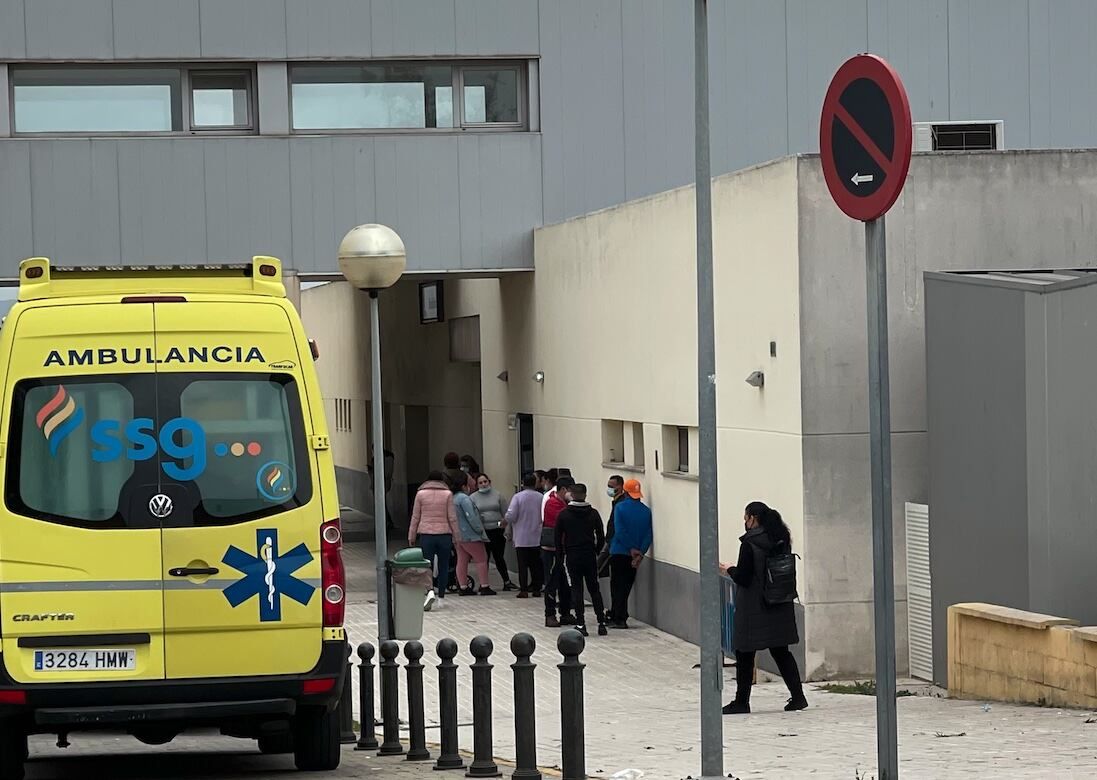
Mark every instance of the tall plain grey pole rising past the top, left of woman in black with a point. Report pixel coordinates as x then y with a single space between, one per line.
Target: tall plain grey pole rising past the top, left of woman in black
713 668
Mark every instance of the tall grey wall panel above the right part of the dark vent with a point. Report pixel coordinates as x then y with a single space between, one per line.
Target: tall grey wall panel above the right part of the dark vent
989 66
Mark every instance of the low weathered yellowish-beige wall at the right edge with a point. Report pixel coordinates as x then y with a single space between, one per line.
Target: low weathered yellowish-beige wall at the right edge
1009 655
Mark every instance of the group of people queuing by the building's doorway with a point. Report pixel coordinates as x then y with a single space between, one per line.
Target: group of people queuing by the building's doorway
561 544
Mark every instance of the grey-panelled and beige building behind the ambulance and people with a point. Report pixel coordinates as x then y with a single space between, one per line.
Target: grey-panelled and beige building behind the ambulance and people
534 154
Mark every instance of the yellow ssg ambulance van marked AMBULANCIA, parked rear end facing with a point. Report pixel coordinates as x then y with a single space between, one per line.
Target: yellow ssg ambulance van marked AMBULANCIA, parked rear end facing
171 551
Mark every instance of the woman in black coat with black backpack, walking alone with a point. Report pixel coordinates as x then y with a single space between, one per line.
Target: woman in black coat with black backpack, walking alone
757 625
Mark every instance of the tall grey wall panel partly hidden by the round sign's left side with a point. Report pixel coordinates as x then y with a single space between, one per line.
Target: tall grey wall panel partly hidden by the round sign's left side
821 37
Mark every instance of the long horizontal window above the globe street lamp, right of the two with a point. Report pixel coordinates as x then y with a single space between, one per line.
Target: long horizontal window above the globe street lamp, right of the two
409 96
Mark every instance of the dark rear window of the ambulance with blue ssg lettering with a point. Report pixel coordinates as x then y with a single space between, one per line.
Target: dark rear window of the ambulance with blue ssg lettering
95 453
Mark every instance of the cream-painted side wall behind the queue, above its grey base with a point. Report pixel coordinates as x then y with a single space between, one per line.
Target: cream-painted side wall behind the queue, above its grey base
614 314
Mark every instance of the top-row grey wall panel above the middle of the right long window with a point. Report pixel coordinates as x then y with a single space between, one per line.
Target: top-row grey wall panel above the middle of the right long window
413 28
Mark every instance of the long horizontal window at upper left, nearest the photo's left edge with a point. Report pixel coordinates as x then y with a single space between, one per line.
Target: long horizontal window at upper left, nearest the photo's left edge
130 99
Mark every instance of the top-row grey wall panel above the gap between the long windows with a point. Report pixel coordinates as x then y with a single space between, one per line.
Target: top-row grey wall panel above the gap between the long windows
244 29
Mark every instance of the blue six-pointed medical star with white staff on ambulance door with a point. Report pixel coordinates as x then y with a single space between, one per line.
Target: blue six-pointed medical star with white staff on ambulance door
268 576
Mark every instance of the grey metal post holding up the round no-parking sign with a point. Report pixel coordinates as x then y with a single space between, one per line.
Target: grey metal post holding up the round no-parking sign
876 256
